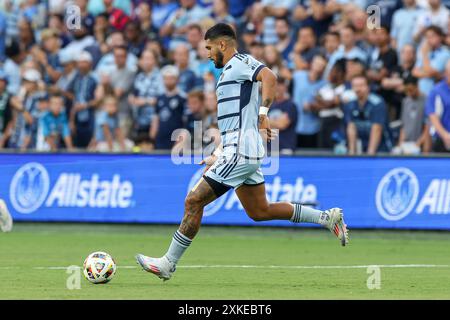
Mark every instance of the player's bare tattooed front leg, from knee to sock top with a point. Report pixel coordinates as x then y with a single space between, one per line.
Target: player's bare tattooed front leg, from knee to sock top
200 196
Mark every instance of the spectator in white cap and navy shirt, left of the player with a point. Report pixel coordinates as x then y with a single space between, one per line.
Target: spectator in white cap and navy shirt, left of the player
170 108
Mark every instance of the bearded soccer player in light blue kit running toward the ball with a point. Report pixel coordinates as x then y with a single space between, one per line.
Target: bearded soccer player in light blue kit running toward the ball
236 163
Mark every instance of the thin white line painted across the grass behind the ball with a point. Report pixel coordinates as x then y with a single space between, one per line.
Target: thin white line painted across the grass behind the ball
275 267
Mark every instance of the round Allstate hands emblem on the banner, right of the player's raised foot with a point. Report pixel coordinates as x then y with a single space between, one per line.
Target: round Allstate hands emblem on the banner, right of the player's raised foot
397 194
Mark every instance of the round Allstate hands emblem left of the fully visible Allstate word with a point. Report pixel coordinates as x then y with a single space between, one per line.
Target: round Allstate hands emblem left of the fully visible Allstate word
29 187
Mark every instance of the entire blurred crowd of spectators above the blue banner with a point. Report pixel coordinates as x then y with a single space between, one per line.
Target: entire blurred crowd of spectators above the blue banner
354 76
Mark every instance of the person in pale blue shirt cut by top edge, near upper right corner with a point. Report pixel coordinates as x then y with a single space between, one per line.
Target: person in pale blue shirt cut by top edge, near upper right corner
403 24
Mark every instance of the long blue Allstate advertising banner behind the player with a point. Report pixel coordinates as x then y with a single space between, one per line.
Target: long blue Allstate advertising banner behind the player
411 193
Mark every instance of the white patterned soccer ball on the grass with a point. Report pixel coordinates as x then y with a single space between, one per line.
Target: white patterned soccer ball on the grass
99 267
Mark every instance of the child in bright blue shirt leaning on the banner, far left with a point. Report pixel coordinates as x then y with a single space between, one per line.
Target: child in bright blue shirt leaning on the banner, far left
55 126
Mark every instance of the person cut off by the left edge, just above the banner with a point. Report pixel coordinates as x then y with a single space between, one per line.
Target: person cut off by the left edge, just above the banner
6 119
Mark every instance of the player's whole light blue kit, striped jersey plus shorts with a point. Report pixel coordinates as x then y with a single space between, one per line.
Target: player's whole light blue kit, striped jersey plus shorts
238 108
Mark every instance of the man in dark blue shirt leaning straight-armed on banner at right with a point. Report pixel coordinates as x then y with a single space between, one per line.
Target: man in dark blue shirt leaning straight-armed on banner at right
366 120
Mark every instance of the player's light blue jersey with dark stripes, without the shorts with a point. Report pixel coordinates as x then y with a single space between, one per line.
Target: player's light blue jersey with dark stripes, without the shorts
238 106
